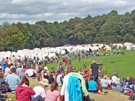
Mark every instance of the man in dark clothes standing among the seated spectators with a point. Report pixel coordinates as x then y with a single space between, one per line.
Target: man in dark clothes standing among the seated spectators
94 68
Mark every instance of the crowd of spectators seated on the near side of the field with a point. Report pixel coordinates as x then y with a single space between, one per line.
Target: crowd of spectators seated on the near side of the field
16 73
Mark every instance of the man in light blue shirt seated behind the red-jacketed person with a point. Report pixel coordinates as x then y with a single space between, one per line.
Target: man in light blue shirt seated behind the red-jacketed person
13 80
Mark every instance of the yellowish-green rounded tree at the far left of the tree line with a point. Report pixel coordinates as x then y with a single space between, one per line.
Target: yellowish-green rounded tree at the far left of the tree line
12 39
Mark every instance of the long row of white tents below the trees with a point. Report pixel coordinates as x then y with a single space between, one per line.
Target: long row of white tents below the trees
51 51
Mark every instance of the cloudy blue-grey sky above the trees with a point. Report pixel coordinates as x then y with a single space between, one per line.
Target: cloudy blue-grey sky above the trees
32 11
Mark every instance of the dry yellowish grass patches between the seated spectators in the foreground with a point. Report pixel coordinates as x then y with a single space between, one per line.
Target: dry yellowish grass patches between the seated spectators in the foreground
111 95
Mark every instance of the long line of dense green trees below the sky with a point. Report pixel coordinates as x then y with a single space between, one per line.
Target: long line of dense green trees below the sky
107 28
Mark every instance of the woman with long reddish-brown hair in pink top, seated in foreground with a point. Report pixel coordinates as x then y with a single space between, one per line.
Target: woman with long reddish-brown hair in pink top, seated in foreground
53 94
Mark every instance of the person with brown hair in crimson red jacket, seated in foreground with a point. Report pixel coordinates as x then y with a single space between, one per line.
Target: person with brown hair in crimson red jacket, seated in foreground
23 92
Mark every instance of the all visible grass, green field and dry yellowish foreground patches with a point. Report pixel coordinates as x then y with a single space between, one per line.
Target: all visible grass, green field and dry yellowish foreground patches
124 63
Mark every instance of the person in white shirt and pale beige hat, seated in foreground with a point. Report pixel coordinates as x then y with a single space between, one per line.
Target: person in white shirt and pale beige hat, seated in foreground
40 90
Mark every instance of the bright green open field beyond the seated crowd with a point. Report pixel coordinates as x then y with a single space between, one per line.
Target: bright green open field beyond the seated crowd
125 64
